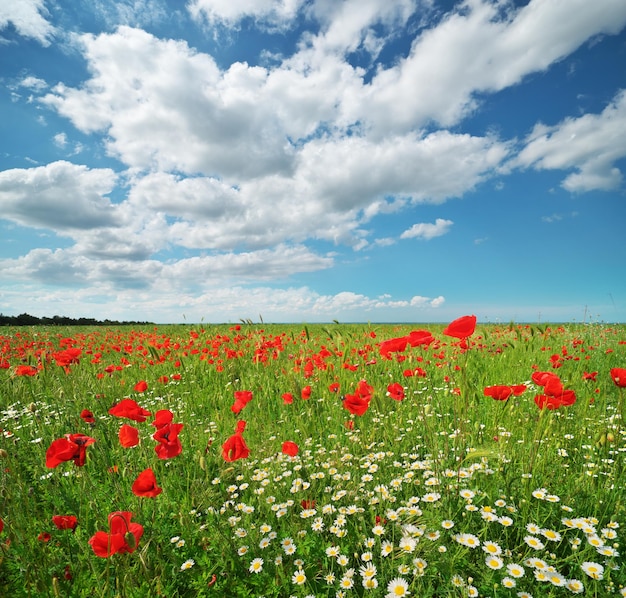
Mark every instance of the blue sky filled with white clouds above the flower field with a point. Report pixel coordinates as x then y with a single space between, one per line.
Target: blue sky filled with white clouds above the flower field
313 160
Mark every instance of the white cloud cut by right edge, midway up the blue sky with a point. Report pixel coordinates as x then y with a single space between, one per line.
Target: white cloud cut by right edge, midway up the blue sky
591 144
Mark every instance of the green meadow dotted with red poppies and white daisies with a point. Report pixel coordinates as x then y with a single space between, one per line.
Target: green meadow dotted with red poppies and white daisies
331 460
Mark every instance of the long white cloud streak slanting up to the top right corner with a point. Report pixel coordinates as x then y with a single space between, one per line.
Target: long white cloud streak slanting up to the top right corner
479 47
